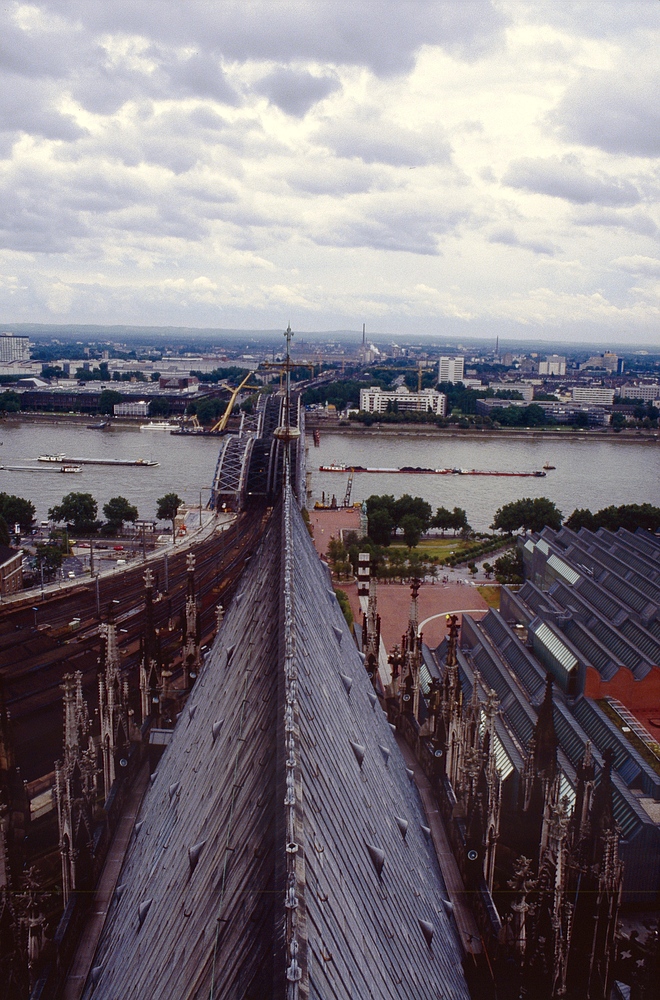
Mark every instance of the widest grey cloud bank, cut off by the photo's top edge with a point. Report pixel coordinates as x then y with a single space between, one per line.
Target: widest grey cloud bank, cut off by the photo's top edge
382 34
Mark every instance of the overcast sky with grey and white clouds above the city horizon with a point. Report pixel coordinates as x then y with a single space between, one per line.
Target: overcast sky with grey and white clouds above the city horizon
458 168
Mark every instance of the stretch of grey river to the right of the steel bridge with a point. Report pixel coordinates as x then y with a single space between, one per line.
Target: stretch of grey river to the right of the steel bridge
589 473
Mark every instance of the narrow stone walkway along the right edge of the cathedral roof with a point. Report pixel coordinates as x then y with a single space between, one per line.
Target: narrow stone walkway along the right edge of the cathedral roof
467 926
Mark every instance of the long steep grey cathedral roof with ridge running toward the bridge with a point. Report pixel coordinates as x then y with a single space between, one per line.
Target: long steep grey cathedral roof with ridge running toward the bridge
281 848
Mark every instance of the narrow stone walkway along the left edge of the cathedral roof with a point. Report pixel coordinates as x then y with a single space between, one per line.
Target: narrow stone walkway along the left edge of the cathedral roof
82 962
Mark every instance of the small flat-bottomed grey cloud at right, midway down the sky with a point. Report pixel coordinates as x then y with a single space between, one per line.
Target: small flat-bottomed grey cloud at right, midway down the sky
565 177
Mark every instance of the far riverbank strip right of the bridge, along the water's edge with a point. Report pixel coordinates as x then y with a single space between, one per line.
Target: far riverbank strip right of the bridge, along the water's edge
599 434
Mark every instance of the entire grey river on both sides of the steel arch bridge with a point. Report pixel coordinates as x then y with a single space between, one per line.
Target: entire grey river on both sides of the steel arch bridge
589 473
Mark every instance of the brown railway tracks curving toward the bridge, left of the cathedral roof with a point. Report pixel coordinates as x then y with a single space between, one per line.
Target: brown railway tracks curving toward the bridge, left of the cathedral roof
33 660
